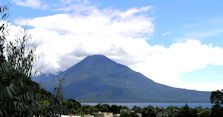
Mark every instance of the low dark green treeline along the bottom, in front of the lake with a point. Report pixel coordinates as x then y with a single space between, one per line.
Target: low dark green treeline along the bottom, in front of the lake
150 111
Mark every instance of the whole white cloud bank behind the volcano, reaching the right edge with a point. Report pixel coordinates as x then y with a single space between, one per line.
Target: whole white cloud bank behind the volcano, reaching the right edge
65 39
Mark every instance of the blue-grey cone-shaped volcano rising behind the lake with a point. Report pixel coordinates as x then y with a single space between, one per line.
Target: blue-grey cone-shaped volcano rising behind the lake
97 78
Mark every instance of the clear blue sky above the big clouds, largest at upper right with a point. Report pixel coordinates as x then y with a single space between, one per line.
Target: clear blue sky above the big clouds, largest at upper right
173 19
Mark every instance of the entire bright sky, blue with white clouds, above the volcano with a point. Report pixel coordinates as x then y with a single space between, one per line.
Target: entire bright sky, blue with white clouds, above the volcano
177 43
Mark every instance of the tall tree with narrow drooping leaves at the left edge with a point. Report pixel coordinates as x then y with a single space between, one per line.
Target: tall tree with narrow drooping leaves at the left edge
19 95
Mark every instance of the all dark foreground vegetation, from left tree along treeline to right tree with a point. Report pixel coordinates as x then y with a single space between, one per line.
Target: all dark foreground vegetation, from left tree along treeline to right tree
21 97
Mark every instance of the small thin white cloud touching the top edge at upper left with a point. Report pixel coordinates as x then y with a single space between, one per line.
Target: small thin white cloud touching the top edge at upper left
30 3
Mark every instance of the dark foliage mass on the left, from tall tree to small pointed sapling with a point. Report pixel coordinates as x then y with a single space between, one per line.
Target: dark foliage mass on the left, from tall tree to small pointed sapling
19 95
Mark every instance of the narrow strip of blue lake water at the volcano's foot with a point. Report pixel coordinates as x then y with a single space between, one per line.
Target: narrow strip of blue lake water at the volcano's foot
164 105
